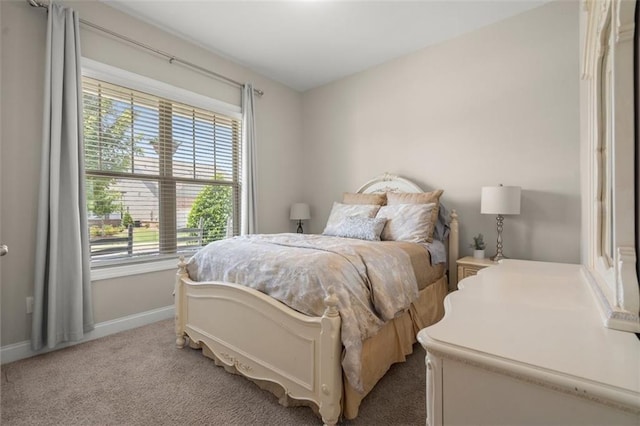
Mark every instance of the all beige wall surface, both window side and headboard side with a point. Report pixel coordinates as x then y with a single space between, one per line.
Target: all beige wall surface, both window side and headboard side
499 105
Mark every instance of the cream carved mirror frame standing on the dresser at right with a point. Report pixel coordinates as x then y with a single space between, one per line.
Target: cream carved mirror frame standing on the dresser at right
608 110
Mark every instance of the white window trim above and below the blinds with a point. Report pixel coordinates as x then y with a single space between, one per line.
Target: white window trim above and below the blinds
106 269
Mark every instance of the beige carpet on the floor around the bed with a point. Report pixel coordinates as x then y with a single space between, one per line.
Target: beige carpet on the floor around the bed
139 377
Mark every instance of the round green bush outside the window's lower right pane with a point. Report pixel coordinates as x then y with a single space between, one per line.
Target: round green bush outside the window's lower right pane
214 205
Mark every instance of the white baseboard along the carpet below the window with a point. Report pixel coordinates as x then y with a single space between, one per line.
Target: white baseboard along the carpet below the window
21 350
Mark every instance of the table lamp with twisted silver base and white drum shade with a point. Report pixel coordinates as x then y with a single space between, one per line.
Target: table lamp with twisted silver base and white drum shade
500 200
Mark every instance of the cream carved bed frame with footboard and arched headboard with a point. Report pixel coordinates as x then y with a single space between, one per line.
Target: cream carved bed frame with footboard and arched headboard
265 339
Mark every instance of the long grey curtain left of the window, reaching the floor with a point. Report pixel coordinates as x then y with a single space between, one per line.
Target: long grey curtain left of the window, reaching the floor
62 287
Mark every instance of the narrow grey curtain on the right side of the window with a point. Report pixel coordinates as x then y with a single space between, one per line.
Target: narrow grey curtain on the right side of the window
249 220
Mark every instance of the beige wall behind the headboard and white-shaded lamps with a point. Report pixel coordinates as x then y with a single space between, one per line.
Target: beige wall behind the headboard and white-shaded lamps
499 105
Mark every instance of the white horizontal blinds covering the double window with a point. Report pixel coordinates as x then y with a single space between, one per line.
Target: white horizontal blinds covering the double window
169 169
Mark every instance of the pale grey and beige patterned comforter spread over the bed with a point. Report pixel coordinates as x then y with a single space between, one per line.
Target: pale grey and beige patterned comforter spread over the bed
374 280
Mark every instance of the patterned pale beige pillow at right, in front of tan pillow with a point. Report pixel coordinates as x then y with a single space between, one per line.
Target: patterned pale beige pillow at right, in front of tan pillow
407 222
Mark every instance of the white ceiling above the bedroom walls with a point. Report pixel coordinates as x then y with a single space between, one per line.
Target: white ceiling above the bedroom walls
305 44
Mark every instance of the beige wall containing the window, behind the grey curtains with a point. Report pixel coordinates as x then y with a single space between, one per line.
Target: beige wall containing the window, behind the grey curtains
278 124
